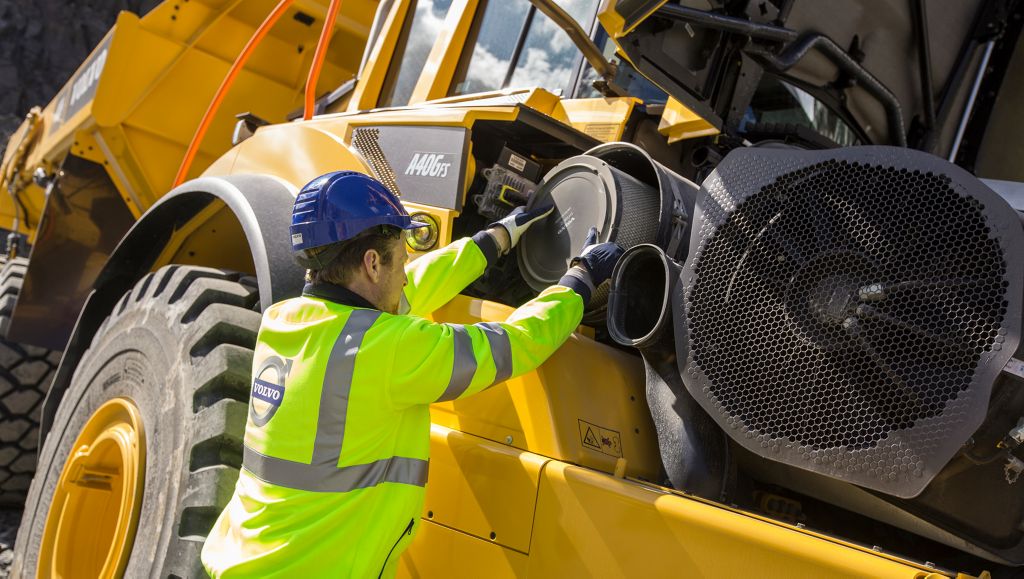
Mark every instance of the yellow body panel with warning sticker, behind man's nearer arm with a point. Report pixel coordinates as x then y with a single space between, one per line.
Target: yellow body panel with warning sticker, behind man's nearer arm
548 411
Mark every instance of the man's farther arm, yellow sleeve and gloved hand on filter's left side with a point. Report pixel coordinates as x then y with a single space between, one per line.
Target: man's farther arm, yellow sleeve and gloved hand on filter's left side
438 277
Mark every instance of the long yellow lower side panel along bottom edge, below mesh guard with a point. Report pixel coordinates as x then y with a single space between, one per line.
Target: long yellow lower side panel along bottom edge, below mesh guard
592 525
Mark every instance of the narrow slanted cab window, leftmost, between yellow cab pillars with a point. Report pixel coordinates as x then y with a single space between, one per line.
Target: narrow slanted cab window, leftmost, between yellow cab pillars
414 47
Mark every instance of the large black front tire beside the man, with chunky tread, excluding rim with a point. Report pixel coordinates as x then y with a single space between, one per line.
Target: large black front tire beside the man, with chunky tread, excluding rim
180 347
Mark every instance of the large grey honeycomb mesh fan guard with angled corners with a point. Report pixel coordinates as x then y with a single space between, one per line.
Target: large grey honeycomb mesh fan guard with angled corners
843 315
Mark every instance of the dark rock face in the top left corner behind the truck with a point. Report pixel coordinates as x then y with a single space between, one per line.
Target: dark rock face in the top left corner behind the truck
42 43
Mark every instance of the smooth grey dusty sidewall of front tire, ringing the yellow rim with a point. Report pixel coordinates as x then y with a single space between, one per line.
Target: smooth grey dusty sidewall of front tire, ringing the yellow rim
143 343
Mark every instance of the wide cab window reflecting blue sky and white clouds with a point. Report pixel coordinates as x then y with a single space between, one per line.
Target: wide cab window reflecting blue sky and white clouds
514 45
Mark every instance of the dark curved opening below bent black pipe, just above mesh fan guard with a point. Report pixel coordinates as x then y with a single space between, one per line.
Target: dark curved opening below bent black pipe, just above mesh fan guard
780 103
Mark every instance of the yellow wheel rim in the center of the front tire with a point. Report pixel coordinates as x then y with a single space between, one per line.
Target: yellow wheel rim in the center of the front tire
92 523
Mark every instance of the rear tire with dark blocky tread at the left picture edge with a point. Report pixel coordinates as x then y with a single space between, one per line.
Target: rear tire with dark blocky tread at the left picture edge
26 376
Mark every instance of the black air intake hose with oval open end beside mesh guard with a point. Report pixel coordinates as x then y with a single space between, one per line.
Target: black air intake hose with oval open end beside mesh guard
695 450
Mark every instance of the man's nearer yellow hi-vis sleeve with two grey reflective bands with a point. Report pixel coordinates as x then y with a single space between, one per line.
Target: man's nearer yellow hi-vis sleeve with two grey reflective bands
441 362
